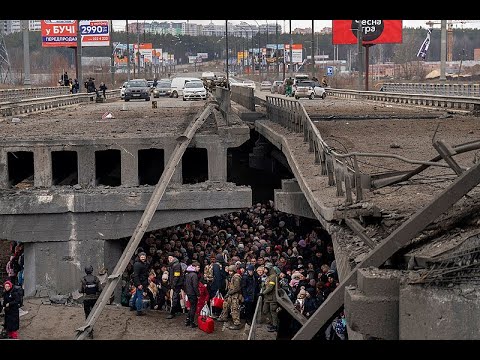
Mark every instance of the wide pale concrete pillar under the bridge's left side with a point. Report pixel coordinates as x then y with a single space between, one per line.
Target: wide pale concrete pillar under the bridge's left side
53 268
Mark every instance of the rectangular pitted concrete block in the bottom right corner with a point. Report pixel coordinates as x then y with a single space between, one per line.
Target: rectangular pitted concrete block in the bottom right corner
434 313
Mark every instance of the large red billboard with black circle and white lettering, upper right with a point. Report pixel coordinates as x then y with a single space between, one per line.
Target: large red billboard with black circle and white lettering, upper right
374 31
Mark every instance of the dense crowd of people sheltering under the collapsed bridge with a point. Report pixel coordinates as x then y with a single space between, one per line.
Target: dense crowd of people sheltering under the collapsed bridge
236 258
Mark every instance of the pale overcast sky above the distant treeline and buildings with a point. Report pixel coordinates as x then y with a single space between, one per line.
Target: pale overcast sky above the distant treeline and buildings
319 24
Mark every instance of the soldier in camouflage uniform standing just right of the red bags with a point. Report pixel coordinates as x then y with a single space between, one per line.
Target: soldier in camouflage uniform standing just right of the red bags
233 298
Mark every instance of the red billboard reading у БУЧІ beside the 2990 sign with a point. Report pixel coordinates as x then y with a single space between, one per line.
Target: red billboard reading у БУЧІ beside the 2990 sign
57 33
